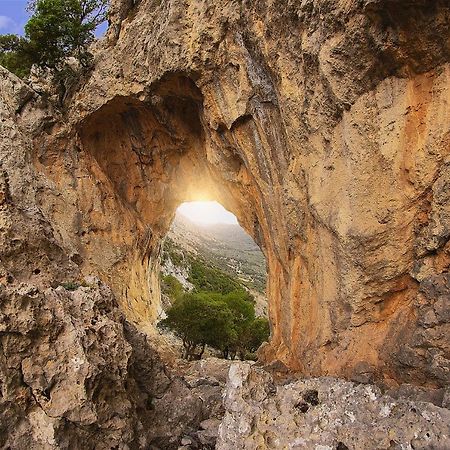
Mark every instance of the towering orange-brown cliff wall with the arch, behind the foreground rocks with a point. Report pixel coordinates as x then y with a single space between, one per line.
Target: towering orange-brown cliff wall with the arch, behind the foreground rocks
324 126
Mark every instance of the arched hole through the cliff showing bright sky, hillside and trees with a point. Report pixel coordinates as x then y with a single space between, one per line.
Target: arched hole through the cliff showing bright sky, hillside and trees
211 268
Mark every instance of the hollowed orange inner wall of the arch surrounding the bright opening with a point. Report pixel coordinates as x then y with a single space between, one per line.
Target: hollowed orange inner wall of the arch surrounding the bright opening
147 154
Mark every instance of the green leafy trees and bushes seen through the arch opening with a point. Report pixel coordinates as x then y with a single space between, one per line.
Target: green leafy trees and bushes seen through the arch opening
219 312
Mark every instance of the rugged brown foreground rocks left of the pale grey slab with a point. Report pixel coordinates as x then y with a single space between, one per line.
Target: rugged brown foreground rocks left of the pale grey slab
75 375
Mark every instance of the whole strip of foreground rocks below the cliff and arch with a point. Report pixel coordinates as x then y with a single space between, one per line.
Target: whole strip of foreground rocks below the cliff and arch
76 375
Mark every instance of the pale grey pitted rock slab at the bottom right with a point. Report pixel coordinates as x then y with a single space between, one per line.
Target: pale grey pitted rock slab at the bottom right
324 413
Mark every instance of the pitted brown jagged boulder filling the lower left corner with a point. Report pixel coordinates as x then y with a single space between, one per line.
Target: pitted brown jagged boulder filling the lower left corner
63 368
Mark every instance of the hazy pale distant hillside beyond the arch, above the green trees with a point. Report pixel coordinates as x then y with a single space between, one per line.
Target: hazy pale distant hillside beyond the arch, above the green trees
224 246
